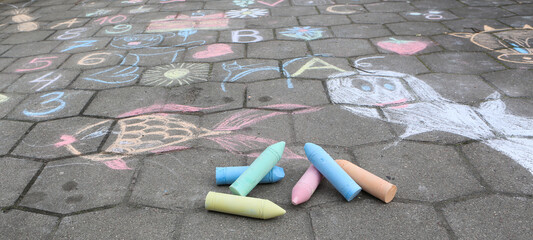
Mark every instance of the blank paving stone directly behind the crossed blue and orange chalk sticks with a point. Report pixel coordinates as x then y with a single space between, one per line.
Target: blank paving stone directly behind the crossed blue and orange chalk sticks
334 129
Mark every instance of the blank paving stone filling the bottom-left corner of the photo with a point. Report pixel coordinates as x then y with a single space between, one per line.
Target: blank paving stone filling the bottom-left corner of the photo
17 224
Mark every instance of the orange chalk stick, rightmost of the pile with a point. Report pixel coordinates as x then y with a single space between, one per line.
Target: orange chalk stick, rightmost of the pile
370 183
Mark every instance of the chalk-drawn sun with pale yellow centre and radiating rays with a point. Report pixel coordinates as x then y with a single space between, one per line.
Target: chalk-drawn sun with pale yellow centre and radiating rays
176 74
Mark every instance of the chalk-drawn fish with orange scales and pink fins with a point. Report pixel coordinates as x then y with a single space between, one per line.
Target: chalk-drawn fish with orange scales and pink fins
148 130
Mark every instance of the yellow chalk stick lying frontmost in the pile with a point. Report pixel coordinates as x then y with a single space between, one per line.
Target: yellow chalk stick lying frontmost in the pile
242 206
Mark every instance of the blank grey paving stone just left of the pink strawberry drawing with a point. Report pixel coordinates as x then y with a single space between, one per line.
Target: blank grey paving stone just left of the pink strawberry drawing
342 47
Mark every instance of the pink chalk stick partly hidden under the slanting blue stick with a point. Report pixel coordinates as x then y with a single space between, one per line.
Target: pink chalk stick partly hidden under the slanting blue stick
306 186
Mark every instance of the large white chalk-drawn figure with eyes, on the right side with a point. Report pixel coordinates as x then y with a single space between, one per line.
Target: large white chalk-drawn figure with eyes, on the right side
422 109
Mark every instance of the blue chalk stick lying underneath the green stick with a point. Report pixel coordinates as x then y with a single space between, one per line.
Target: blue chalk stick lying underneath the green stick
228 175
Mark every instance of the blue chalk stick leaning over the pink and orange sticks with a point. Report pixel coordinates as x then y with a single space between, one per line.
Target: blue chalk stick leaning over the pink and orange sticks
332 171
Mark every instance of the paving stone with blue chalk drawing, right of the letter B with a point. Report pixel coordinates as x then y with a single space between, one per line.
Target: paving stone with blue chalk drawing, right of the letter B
306 33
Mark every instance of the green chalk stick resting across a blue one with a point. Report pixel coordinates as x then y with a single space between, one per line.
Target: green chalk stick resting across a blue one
258 169
